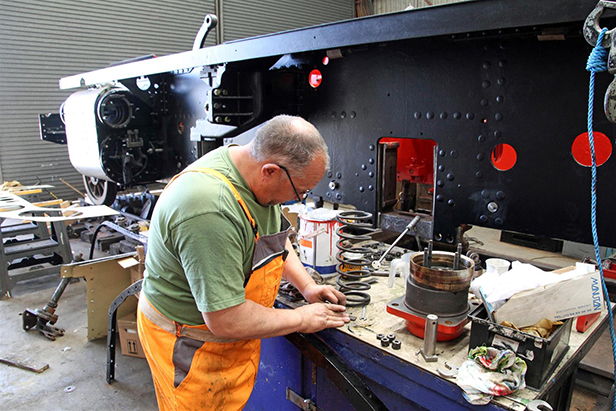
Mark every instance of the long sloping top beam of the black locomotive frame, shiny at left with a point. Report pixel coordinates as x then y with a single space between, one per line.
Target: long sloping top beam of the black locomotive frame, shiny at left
478 17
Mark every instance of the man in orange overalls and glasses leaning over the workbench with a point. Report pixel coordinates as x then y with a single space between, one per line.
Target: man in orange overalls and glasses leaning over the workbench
216 254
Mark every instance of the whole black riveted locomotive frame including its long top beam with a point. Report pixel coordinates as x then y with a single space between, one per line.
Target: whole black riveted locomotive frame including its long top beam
469 76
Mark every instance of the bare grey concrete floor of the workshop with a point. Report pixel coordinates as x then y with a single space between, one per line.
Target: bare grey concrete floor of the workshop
76 362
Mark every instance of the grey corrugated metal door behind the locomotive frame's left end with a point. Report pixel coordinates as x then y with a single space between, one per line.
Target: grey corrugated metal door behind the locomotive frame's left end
42 41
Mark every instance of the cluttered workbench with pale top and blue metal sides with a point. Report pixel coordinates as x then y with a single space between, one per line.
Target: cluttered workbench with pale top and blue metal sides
401 379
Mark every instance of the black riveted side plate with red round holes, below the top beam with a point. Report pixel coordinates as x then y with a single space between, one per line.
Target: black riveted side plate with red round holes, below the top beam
469 96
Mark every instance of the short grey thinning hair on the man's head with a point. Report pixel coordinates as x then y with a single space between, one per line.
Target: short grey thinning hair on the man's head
290 141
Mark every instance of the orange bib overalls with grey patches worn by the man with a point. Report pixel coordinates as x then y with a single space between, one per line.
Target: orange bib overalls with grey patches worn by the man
191 367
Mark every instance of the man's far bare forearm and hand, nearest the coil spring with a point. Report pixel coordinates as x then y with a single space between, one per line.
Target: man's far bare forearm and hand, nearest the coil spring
295 273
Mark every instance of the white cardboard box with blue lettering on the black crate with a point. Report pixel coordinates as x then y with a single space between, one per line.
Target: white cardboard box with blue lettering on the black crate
566 299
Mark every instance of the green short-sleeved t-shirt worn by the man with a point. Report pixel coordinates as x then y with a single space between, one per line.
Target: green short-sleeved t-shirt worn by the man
201 244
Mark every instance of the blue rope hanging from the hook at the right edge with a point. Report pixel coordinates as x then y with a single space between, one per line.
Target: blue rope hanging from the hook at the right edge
597 62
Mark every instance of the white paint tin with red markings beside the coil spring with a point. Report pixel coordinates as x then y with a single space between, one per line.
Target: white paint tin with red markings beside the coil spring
317 230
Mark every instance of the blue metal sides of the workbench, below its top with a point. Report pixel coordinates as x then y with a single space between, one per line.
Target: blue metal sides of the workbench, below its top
399 384
